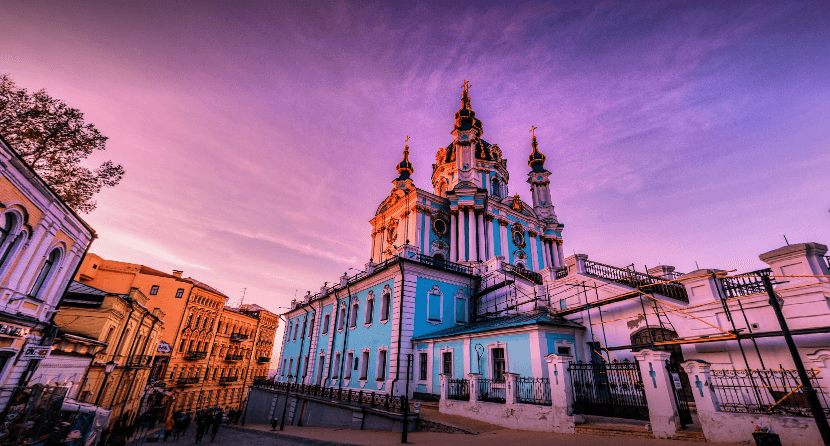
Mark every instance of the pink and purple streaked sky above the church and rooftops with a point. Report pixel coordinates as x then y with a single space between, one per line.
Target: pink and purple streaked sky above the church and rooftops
259 139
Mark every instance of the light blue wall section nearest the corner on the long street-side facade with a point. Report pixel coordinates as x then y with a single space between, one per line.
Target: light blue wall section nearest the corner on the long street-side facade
378 334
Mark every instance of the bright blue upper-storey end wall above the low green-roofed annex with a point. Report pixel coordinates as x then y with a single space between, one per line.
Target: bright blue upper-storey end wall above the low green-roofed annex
447 308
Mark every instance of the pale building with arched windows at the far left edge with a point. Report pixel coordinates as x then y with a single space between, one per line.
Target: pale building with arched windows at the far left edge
42 242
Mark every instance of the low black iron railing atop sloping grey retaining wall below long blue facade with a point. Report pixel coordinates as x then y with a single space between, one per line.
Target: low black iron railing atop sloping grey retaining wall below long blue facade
382 401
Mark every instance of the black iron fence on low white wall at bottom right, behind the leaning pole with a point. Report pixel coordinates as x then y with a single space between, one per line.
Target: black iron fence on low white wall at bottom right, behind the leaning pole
766 392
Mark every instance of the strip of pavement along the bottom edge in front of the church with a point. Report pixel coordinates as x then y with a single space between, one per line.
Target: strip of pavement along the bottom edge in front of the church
502 437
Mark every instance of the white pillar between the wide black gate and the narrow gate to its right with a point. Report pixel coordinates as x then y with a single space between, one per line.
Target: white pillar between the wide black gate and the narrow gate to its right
662 407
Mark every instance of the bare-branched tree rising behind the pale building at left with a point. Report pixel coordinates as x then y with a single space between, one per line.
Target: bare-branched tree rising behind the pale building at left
54 139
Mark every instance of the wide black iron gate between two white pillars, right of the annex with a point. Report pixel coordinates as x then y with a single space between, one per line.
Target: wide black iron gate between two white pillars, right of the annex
608 389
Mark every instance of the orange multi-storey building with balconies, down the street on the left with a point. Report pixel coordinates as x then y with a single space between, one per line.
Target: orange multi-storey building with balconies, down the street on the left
209 353
